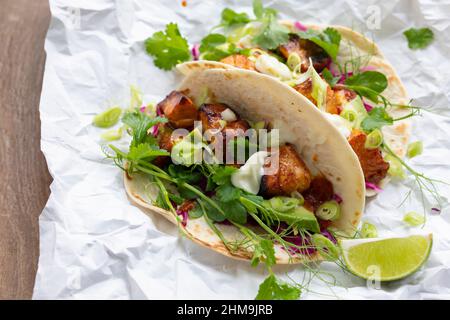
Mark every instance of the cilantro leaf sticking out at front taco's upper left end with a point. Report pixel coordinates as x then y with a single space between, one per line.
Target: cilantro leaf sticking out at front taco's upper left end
139 122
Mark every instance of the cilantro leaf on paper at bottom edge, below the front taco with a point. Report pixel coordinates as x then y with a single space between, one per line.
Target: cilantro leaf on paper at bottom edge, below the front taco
272 289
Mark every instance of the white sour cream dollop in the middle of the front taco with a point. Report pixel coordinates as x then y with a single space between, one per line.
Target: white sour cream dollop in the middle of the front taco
248 177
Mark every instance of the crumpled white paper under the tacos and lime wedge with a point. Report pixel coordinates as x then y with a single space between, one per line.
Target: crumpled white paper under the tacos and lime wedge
94 244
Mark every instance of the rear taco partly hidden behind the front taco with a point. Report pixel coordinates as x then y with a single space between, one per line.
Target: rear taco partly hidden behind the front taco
343 74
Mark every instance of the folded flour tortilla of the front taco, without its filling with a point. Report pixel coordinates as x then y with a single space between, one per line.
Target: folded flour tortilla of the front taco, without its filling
257 97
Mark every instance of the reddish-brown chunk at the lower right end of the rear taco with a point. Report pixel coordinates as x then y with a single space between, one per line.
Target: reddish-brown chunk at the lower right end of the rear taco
372 163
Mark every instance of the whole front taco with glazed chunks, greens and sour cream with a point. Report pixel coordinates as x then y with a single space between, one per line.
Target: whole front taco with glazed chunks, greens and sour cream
293 196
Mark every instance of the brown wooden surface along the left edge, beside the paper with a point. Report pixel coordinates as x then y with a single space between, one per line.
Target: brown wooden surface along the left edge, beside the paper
24 184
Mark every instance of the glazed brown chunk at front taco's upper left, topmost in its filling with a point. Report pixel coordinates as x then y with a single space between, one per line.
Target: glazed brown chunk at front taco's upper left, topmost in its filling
179 110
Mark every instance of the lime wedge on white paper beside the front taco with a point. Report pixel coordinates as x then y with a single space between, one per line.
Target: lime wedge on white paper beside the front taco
386 259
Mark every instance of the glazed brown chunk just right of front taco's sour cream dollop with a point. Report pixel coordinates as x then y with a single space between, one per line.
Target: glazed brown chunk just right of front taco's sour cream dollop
292 174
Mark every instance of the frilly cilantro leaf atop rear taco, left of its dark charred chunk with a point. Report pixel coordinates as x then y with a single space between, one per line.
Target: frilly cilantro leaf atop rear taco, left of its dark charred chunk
272 34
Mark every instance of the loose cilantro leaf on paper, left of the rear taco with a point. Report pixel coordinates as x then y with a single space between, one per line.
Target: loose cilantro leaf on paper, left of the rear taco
169 48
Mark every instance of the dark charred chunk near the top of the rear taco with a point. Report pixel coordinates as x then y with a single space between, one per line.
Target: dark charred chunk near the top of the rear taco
306 49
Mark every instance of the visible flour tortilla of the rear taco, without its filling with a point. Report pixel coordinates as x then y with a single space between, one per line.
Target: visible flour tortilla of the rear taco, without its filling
353 44
